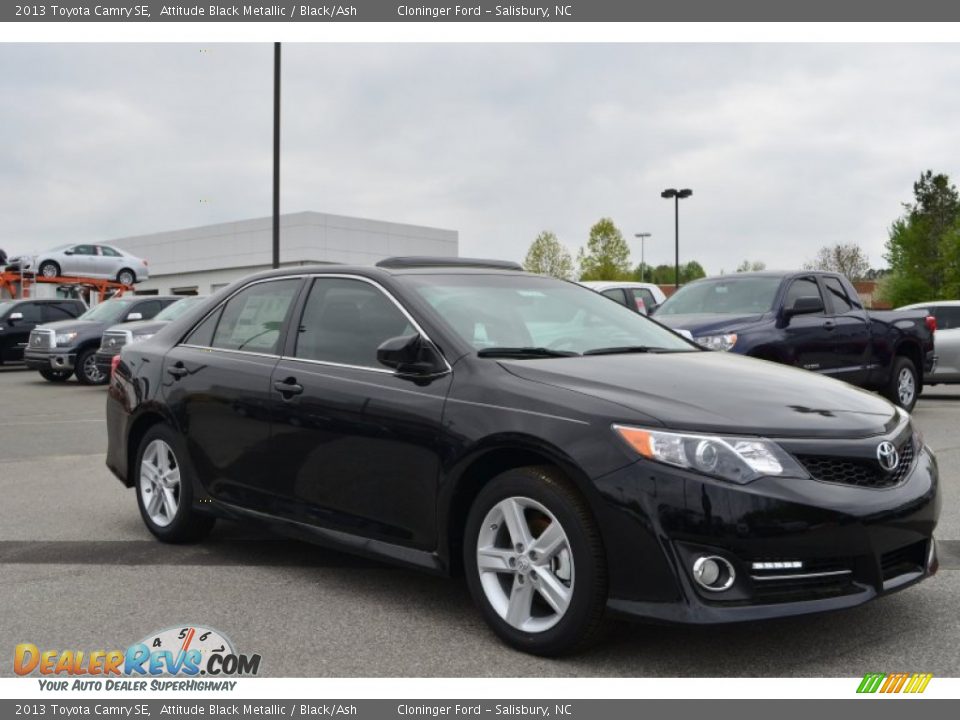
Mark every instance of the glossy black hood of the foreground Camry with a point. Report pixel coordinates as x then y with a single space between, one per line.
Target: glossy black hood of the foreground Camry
717 392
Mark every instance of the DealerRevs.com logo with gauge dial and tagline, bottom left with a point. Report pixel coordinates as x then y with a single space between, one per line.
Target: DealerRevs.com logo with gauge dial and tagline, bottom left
187 651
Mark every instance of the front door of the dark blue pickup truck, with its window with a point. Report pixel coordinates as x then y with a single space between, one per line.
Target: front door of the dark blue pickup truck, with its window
809 339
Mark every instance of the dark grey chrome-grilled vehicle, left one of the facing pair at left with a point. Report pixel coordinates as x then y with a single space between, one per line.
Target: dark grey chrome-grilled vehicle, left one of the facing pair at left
59 349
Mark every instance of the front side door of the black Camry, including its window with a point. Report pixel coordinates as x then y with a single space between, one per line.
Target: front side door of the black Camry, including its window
357 448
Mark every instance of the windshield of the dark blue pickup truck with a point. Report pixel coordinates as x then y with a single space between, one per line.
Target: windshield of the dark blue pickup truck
723 296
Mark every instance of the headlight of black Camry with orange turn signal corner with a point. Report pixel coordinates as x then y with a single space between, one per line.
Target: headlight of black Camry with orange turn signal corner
736 459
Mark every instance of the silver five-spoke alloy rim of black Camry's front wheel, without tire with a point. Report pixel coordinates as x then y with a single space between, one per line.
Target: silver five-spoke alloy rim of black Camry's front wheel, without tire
525 564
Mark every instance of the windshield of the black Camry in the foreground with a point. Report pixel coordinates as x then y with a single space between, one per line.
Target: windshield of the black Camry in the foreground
533 312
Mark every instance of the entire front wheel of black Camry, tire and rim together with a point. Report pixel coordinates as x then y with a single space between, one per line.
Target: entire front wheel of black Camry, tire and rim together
535 563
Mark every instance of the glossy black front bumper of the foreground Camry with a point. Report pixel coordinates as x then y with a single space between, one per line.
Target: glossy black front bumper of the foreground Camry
853 543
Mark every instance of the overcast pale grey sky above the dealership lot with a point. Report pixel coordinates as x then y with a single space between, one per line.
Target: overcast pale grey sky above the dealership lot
787 147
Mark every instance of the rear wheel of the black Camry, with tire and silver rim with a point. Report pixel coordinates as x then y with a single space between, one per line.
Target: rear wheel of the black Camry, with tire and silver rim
165 489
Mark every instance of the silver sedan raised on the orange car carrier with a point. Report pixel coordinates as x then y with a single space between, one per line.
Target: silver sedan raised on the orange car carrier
93 261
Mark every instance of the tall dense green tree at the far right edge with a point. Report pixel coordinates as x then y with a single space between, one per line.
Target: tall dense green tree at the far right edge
923 247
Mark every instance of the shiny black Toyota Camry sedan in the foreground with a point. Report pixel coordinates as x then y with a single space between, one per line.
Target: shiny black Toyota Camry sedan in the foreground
571 457
